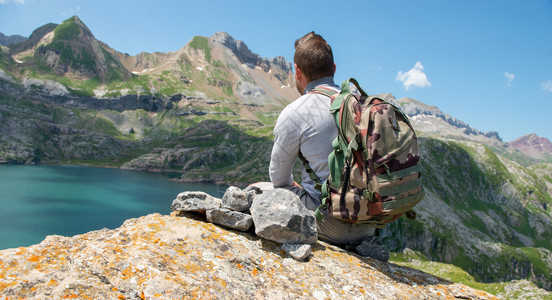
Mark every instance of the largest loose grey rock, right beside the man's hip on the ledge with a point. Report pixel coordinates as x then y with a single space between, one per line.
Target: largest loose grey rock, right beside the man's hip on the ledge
280 216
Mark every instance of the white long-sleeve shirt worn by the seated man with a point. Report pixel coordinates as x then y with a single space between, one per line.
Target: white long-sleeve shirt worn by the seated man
307 125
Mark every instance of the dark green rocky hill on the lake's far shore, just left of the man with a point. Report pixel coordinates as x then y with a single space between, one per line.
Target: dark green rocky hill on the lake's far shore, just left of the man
203 148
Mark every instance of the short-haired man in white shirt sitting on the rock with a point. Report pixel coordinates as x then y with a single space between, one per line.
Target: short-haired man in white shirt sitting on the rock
307 126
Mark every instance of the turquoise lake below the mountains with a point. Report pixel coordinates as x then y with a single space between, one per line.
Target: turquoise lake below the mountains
37 201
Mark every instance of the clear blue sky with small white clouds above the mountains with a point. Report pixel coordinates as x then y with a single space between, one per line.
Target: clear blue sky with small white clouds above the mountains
485 62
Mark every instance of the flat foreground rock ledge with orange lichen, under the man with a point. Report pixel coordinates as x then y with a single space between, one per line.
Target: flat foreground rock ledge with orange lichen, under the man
172 257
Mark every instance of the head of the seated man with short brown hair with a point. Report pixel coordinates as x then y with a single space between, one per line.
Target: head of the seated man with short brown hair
313 59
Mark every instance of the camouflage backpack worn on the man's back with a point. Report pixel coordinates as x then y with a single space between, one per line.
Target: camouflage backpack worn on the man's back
374 168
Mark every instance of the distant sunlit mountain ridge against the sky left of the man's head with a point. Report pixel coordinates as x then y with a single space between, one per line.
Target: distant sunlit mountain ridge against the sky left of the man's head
94 69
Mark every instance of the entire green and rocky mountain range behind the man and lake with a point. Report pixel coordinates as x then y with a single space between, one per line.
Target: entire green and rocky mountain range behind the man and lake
206 112
